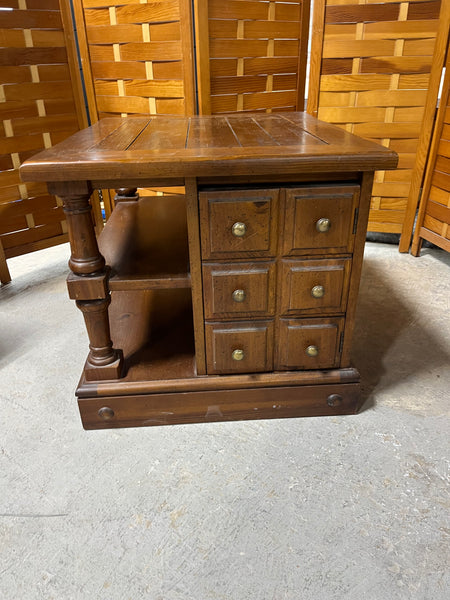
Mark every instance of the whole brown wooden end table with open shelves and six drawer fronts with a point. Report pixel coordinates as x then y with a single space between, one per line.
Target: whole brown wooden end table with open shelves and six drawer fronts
214 321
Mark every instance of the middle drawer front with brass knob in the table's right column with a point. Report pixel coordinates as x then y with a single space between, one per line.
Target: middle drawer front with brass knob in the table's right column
314 286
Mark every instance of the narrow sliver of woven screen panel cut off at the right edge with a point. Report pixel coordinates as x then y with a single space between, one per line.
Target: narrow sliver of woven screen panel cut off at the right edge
433 222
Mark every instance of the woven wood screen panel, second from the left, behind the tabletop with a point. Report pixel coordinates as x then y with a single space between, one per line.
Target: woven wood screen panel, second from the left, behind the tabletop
137 56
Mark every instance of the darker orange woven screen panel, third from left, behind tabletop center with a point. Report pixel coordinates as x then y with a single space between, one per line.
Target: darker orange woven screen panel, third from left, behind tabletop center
251 55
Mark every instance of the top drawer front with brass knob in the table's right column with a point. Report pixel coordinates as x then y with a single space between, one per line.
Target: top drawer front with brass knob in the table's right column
320 219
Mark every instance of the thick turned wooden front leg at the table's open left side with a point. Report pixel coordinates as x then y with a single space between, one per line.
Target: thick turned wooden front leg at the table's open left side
88 284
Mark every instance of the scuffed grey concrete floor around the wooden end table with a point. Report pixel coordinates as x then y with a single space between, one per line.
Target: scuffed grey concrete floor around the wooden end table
338 508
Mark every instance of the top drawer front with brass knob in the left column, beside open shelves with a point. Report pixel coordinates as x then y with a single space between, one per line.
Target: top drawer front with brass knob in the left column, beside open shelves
238 223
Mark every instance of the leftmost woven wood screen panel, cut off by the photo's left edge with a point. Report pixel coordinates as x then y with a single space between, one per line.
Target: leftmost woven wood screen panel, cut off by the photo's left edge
40 105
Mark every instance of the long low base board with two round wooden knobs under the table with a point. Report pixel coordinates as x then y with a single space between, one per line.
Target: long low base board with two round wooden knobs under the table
219 405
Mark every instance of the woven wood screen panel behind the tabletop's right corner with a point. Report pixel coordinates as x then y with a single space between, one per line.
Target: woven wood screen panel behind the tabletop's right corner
370 75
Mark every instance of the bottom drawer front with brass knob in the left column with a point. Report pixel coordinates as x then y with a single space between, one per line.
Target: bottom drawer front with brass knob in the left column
245 347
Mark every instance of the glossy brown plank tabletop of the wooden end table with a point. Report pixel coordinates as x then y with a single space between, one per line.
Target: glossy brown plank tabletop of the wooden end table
206 146
